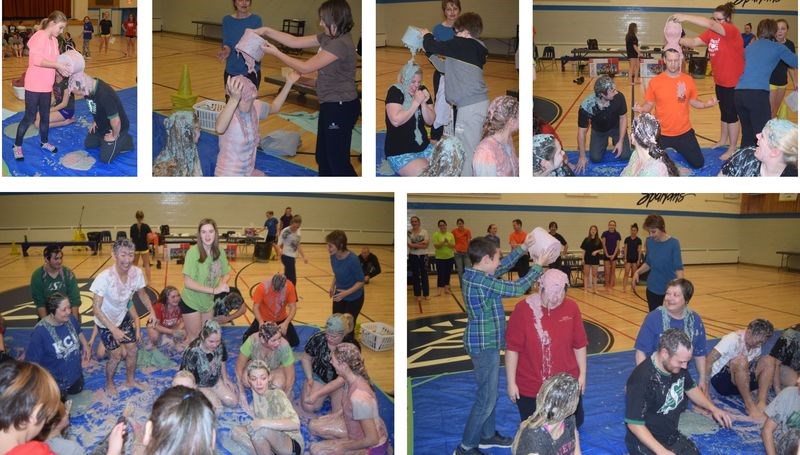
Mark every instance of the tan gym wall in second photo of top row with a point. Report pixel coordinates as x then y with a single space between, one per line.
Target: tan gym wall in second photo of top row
177 15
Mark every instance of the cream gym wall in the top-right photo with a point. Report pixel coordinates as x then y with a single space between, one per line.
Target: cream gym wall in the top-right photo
567 25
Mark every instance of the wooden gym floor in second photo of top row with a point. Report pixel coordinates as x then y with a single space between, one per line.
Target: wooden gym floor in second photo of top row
171 51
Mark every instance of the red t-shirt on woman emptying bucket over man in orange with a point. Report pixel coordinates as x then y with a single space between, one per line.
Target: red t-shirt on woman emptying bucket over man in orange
726 53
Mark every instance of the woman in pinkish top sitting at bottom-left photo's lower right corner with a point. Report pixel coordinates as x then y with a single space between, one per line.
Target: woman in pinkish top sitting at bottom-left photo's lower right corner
358 427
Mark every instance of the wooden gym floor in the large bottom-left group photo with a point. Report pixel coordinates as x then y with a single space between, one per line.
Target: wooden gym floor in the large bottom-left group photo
314 280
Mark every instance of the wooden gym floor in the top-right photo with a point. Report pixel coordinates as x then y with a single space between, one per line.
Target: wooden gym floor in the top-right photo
558 87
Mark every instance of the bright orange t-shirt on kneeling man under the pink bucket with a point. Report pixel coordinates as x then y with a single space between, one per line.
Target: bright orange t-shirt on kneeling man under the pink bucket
672 96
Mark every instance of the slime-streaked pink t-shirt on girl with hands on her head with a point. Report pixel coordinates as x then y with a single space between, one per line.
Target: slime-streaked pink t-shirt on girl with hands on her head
237 146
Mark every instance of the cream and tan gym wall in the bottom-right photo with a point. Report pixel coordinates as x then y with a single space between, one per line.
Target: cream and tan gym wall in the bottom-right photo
709 226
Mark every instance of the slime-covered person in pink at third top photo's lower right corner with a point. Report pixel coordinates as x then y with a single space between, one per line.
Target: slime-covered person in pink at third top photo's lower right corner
495 155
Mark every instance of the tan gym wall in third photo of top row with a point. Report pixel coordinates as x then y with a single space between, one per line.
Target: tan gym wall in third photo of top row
500 17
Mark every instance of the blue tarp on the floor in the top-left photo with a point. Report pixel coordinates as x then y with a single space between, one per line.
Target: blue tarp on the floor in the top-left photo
68 139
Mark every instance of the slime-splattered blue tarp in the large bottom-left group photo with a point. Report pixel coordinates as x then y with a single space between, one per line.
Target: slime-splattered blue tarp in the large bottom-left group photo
93 415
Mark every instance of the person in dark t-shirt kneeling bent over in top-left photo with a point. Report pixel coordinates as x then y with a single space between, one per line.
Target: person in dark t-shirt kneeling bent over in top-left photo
109 132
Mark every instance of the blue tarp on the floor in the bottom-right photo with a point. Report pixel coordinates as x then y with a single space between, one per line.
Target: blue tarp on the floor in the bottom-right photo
439 418
